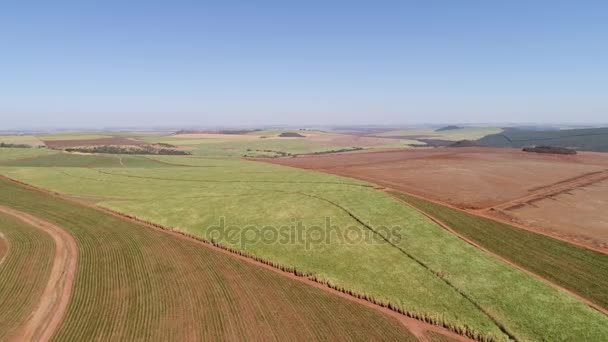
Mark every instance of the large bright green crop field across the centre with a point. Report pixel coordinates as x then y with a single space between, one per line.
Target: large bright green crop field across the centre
427 273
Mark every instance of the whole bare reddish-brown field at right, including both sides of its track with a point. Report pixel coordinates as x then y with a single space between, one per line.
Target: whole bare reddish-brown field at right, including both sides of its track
563 195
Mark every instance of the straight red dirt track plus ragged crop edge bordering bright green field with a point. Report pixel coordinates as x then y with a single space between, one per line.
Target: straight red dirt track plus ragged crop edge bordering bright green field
415 323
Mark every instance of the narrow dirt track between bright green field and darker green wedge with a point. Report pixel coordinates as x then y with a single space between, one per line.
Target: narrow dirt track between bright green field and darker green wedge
506 261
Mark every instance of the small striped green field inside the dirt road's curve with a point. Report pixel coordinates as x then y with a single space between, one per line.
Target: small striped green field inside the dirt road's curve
24 270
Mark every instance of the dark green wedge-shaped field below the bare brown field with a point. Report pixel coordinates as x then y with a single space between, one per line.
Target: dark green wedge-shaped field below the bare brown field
577 269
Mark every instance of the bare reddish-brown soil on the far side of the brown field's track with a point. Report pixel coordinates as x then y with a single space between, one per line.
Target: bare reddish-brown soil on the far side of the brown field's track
465 177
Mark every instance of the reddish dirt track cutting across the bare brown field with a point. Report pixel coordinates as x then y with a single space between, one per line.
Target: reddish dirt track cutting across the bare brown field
550 190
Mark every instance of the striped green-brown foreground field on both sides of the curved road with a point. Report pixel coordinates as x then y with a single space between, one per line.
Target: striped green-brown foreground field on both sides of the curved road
137 283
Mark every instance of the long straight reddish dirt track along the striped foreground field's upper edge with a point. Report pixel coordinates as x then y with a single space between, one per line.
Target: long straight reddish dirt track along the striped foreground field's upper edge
419 328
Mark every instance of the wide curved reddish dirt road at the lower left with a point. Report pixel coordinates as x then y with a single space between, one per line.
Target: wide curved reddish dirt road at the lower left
42 323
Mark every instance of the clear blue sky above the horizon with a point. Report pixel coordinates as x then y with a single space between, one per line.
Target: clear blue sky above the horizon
117 63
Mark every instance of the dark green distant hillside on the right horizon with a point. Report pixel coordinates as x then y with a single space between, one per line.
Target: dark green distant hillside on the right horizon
586 139
